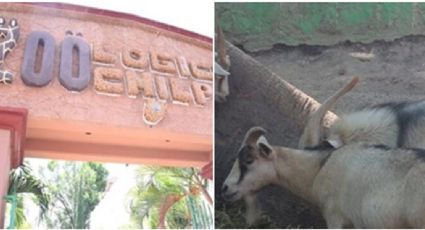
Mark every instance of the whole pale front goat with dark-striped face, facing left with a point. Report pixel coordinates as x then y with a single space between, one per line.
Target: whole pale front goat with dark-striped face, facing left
357 185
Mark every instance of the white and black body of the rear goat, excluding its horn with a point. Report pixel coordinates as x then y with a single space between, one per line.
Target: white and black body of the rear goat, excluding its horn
392 124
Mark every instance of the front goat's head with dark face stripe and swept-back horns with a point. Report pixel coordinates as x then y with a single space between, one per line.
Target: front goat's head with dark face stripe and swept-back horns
253 169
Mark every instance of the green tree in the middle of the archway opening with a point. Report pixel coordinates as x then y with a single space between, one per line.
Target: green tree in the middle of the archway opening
76 189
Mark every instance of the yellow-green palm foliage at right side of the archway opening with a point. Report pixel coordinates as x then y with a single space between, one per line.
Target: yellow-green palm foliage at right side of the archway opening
159 196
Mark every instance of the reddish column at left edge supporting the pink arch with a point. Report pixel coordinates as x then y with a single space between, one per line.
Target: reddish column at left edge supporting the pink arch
12 138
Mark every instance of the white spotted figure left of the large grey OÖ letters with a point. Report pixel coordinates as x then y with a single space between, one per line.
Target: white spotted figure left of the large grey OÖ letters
9 35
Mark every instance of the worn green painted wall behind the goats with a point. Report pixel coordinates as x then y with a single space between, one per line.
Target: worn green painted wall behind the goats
259 26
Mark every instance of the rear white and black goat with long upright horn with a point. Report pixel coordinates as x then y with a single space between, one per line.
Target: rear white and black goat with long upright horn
399 124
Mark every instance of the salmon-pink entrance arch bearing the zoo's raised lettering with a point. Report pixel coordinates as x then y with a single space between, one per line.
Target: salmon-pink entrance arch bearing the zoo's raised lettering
79 83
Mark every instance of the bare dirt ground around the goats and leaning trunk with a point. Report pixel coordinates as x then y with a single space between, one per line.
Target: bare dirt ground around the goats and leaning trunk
396 73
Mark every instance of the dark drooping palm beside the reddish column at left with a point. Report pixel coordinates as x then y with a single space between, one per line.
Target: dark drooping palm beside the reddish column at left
22 181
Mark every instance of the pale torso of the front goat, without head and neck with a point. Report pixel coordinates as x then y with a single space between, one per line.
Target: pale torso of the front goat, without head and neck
374 186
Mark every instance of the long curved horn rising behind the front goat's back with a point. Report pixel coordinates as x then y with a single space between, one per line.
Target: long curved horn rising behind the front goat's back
313 130
